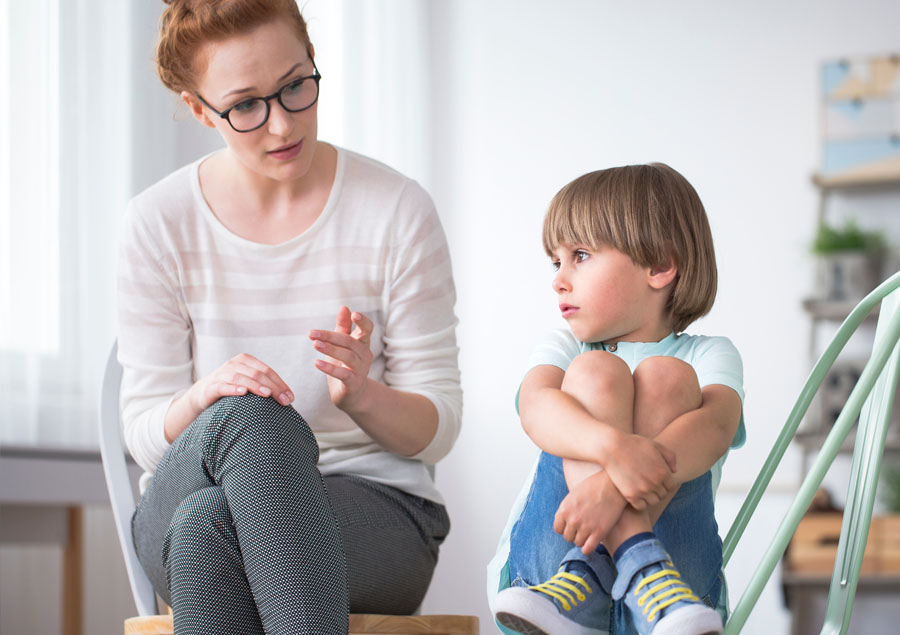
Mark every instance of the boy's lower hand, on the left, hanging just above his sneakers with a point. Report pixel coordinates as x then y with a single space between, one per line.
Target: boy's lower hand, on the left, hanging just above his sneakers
589 511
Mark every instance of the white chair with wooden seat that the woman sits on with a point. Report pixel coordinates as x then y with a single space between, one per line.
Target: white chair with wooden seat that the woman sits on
122 499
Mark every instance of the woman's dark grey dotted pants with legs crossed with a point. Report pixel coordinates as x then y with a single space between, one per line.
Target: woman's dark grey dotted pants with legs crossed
240 533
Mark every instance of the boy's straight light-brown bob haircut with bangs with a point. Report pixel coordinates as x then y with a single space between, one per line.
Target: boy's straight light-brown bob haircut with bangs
650 213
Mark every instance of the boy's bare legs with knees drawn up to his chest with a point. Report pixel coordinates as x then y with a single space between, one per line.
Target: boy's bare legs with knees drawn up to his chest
661 390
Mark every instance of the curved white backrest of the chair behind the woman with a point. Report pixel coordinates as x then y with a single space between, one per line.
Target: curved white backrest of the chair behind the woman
118 483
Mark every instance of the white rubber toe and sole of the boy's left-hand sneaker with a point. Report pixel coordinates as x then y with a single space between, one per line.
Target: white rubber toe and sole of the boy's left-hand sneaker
543 619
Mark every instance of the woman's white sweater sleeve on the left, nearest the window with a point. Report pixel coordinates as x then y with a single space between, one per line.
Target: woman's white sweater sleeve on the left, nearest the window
154 335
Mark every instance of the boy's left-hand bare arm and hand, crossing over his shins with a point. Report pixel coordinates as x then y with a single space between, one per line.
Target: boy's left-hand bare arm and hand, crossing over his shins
559 424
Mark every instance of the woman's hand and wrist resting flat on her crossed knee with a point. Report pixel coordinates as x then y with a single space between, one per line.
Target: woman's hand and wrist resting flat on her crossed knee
239 375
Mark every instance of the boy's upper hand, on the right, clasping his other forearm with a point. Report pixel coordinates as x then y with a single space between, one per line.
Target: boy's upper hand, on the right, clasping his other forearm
642 470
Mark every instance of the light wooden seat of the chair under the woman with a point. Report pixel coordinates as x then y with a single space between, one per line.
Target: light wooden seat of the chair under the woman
360 624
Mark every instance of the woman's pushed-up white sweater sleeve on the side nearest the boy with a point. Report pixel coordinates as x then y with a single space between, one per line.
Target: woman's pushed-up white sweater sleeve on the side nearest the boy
420 325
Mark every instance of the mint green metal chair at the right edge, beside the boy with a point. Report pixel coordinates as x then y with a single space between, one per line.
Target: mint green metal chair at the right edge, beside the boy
871 400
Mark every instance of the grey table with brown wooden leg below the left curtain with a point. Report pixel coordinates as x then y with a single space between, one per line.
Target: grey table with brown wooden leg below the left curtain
42 492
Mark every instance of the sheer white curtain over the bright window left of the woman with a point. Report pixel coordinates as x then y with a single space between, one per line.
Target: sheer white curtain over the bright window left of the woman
64 171
